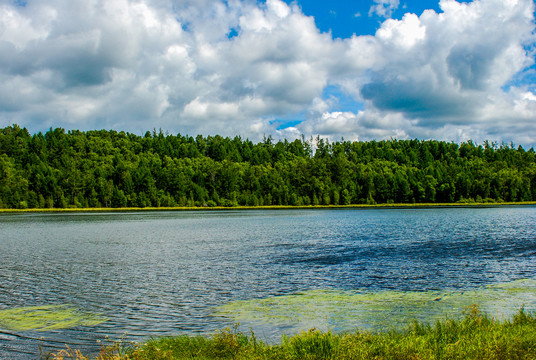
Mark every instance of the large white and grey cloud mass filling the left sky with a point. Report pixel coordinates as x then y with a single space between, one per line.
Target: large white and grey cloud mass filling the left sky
137 64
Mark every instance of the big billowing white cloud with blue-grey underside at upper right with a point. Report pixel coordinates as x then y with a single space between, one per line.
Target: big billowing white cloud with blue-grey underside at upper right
441 65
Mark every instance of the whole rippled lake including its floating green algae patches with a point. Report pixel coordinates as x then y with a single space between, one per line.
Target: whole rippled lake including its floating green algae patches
76 278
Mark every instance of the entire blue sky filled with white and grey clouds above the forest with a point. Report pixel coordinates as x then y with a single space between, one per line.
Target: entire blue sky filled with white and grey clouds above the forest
354 70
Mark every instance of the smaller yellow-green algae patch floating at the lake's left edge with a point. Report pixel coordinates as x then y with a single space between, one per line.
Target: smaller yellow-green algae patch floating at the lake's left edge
46 318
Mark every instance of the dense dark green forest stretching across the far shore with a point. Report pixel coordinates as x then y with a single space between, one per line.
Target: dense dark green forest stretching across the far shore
103 168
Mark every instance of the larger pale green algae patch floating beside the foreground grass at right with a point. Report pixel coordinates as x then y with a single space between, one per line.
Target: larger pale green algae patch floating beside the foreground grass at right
343 310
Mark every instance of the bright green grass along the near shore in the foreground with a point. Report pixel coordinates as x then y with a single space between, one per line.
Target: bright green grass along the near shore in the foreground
475 336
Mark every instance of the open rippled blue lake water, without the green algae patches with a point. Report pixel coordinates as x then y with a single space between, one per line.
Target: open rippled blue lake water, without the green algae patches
156 273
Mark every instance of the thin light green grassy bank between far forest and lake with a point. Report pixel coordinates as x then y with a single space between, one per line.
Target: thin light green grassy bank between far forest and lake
274 207
